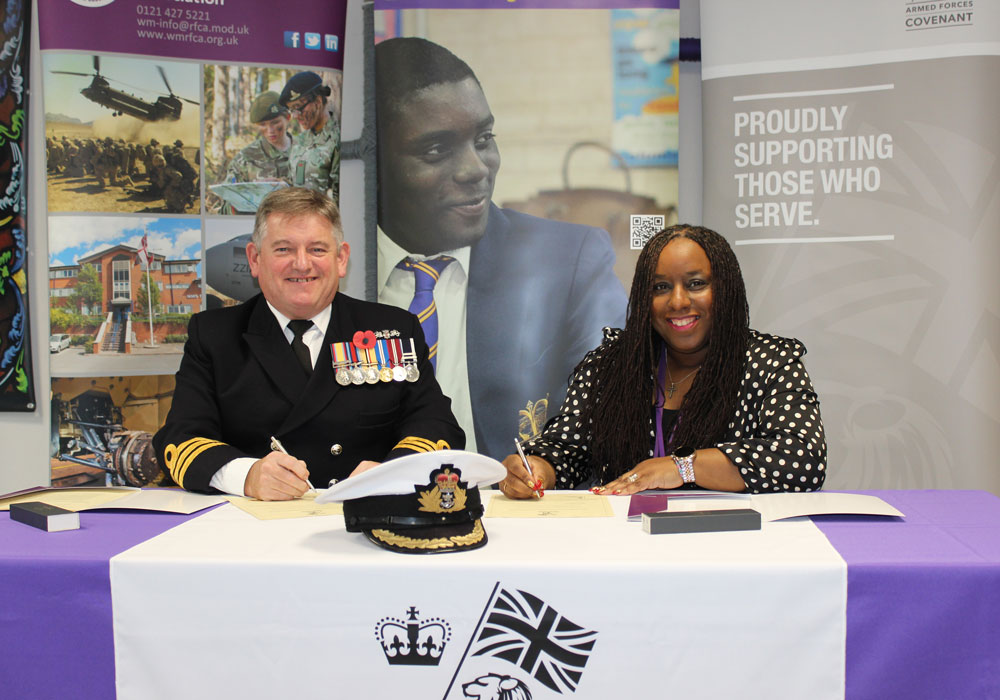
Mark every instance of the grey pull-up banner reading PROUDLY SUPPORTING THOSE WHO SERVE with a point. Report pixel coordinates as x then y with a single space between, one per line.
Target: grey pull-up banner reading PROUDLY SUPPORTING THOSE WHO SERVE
851 156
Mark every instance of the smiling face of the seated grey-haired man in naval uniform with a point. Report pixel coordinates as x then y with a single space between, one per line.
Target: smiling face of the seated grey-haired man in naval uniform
299 264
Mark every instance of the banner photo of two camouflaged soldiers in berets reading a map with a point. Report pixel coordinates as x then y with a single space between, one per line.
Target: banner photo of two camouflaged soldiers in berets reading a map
267 128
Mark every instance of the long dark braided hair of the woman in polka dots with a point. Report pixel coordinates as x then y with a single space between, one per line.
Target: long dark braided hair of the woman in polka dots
626 373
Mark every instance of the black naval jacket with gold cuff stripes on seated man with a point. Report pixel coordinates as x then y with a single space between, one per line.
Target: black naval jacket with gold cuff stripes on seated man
239 383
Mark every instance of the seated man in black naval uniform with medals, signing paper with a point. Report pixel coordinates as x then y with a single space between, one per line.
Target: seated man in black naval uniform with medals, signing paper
265 369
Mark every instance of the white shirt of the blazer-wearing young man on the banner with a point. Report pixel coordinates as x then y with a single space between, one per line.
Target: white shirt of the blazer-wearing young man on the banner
396 287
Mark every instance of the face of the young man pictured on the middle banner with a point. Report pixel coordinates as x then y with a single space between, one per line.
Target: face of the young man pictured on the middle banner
438 162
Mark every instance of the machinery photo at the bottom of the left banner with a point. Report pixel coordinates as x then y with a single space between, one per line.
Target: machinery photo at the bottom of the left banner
102 429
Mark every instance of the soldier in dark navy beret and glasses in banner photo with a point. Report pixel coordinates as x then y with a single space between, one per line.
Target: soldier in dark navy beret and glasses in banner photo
314 159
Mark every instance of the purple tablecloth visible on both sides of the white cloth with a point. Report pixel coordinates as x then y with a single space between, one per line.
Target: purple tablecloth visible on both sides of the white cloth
923 599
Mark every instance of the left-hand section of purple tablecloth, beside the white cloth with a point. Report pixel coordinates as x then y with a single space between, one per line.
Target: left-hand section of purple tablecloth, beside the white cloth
55 603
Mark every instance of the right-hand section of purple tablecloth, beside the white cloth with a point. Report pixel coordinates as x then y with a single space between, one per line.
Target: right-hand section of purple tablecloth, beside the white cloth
923 596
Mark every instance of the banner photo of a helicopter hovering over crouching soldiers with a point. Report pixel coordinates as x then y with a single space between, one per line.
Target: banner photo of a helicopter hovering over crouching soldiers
113 146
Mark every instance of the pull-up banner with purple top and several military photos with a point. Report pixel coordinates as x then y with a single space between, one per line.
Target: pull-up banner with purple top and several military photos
164 128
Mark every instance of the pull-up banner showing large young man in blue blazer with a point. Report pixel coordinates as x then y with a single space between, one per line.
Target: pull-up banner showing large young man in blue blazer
535 144
